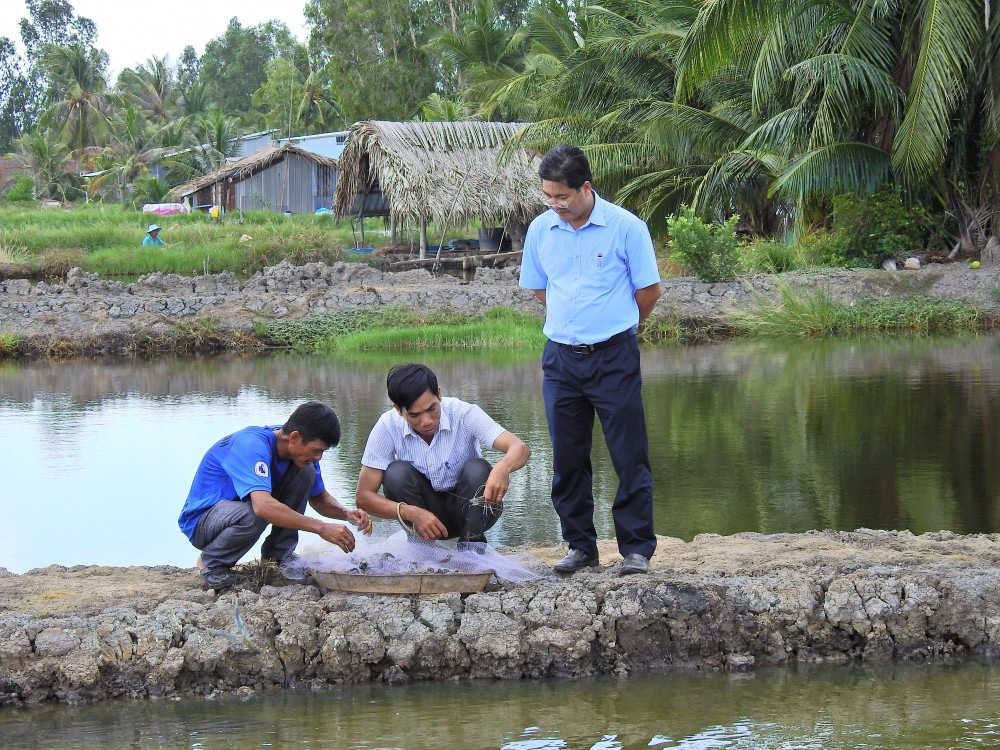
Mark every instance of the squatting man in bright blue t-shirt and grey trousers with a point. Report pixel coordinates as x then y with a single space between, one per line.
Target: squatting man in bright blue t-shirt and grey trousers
260 476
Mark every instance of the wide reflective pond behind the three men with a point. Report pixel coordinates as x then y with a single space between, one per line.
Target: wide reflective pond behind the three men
768 437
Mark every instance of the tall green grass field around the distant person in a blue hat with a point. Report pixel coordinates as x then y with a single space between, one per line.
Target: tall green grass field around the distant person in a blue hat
108 240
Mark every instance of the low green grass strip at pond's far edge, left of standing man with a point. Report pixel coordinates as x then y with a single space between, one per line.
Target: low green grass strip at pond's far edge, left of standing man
398 329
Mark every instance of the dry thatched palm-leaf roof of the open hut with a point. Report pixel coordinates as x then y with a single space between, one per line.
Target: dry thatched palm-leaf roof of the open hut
443 171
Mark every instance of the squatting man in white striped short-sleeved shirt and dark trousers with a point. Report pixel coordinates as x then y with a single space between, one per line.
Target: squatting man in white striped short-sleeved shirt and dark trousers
425 455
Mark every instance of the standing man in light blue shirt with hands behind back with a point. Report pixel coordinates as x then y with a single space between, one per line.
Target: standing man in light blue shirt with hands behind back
592 264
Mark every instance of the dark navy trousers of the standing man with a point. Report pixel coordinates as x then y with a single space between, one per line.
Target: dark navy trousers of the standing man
608 382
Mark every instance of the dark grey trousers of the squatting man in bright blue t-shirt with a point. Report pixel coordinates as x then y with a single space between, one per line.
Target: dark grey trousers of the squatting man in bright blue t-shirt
230 528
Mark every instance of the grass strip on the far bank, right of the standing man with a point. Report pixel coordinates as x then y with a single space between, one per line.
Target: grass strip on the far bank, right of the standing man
817 314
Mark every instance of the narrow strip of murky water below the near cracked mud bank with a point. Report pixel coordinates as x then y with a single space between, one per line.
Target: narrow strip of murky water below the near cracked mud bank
890 706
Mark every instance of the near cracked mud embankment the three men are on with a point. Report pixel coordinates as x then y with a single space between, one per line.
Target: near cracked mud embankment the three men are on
89 633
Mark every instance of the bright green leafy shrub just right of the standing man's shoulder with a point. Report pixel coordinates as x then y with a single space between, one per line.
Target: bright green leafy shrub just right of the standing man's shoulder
710 251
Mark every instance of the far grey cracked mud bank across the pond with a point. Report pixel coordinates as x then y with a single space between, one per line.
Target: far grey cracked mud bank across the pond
86 314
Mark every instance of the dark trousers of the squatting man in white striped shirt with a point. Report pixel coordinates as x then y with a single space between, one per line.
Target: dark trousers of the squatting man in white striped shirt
468 521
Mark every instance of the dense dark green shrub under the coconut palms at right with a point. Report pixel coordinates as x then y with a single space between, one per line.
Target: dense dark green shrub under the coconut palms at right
868 229
